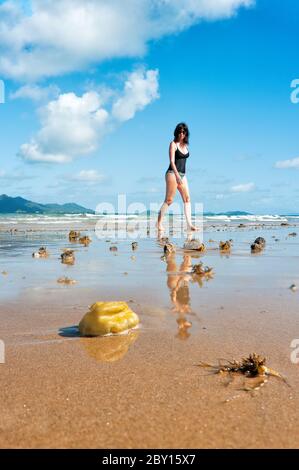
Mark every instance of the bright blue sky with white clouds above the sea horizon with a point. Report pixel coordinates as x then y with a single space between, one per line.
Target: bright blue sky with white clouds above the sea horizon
89 116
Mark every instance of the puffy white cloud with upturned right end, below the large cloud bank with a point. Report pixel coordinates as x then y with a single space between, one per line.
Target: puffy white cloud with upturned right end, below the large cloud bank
74 125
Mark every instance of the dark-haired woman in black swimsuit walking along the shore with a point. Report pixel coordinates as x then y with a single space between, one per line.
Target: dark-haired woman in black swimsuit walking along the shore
176 175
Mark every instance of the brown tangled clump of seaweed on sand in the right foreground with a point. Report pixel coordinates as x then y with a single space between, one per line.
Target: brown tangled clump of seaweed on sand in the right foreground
253 366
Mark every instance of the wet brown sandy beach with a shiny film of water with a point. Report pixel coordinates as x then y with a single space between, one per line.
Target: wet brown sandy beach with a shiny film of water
145 389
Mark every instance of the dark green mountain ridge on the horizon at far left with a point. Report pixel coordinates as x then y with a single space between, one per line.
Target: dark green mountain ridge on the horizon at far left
12 205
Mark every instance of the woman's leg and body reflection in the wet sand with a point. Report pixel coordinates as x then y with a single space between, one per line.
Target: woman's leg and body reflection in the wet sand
178 279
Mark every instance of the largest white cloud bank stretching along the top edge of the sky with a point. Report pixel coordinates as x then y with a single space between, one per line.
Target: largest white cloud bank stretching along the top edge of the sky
50 38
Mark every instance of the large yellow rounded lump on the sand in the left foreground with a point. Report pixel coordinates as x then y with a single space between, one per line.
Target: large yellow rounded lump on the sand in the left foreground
106 318
